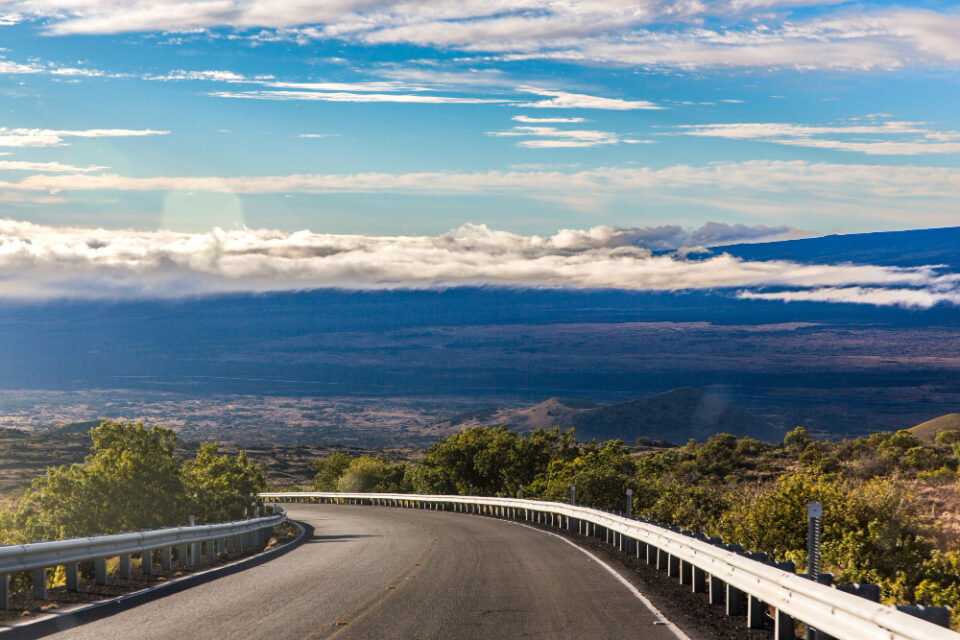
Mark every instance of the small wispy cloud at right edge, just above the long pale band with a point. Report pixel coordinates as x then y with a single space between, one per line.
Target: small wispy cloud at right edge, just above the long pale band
872 138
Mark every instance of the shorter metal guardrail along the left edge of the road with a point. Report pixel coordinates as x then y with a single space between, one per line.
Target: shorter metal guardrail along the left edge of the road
193 544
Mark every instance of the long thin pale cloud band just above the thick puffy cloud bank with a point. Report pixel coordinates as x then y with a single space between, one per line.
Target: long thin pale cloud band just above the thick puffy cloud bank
884 194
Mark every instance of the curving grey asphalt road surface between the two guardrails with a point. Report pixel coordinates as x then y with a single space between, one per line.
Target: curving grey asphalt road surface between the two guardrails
380 572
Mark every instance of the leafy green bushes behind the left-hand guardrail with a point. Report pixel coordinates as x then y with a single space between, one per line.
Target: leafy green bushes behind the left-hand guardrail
133 480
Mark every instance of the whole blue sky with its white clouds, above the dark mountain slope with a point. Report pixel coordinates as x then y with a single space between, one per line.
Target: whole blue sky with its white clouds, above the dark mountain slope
545 130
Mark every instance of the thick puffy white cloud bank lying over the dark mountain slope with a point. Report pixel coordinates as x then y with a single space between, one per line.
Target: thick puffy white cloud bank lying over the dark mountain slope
46 262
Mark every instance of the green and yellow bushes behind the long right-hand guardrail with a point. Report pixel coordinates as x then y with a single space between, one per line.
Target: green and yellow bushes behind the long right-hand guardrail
875 490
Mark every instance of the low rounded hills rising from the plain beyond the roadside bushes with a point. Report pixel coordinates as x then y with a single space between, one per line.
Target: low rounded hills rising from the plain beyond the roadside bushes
674 416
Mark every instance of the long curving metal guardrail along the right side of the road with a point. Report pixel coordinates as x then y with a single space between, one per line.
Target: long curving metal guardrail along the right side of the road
729 576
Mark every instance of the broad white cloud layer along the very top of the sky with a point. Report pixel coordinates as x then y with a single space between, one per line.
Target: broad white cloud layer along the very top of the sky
670 33
